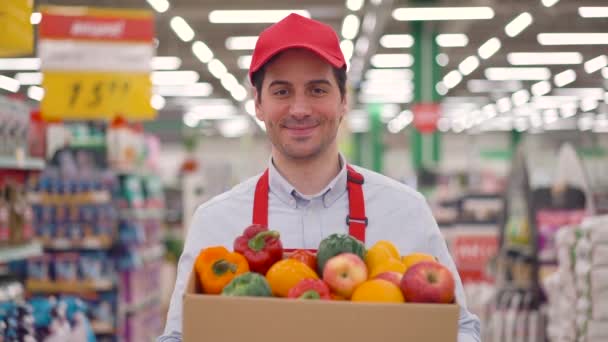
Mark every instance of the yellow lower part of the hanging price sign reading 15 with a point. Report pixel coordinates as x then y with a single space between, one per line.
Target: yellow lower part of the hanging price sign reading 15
96 95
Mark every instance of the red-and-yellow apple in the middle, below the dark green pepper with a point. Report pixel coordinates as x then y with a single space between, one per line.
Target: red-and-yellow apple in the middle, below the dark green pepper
343 273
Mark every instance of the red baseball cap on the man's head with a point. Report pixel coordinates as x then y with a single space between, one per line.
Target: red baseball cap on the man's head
296 31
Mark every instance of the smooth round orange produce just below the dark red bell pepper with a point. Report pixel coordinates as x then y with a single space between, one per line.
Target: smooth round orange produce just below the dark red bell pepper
286 274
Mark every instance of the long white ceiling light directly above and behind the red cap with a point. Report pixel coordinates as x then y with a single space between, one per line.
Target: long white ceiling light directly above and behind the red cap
251 16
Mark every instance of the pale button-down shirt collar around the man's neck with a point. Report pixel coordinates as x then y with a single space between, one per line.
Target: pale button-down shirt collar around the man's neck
287 193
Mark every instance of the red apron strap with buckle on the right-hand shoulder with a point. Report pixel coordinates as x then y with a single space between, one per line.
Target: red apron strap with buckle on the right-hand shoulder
356 219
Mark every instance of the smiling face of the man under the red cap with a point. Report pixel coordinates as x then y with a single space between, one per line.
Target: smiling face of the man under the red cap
301 105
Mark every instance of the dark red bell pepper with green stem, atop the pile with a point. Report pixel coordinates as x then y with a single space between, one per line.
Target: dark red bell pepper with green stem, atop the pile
260 246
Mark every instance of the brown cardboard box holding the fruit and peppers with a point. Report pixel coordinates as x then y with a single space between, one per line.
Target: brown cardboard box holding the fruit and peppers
223 319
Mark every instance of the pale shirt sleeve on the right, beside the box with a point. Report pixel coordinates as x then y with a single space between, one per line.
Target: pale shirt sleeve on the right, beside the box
469 325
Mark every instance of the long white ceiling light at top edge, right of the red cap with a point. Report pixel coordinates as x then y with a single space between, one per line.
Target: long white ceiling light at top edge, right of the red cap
442 13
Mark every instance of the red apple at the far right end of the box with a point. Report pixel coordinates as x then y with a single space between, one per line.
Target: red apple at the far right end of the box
428 282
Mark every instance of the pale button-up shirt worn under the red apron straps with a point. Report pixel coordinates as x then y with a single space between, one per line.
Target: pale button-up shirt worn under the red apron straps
395 211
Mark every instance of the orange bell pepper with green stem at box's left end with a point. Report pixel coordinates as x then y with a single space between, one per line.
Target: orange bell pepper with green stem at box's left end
216 267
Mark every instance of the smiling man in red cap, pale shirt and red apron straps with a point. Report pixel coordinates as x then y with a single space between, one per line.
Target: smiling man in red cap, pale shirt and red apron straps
309 191
